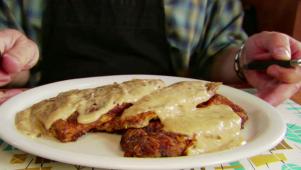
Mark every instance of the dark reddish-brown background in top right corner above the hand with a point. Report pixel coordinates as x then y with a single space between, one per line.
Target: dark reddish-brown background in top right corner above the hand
273 15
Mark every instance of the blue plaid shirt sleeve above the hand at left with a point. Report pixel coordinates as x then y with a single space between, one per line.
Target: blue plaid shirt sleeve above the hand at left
23 15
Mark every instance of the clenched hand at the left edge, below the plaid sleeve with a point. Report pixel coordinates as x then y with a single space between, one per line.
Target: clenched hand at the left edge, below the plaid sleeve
18 55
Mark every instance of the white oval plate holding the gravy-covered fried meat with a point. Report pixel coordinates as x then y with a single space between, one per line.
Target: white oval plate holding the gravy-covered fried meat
264 129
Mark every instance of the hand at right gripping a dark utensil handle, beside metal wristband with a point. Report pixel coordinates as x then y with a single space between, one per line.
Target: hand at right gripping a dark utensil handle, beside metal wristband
276 83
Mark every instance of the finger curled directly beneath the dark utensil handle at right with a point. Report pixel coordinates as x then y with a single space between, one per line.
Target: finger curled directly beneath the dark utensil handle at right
285 75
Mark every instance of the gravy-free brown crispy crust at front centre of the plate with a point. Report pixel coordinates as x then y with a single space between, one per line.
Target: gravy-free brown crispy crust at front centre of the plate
152 141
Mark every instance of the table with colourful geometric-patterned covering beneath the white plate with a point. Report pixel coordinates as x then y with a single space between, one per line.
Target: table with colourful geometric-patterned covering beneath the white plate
285 156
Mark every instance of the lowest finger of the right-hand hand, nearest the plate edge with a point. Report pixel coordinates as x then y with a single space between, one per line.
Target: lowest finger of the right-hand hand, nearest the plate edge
275 95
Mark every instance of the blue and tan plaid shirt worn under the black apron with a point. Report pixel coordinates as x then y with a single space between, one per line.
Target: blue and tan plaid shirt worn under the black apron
200 27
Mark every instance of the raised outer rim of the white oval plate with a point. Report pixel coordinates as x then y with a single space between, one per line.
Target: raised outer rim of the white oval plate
132 163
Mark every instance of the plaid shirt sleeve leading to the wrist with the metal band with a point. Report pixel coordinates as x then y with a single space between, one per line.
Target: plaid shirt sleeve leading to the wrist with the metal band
222 28
